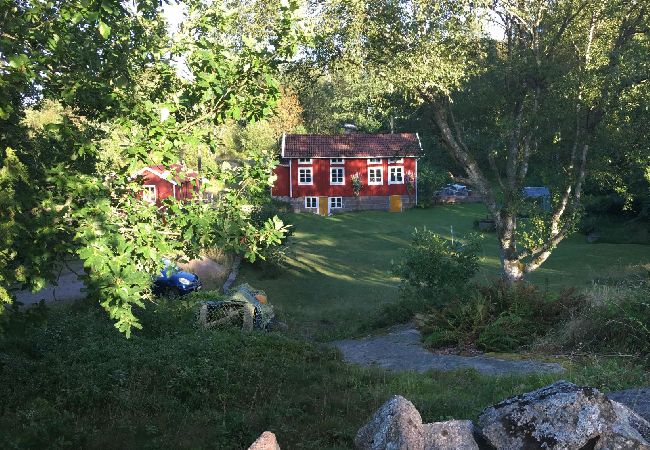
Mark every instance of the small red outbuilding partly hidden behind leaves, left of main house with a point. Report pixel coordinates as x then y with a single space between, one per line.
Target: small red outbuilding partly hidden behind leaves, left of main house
160 182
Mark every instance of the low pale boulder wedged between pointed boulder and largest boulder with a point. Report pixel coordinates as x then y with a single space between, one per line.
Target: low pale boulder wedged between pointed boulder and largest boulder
452 434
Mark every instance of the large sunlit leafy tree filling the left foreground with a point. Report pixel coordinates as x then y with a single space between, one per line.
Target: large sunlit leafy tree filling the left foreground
124 78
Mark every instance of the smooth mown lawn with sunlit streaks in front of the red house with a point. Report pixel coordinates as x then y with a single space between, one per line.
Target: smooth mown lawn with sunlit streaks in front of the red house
339 270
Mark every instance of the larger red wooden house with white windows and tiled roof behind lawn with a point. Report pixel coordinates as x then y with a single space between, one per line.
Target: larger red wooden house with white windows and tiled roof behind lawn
317 172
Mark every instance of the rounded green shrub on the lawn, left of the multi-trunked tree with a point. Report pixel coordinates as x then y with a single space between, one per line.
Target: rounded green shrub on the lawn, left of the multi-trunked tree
432 266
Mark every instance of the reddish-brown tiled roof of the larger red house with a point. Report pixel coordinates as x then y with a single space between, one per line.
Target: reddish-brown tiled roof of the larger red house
350 145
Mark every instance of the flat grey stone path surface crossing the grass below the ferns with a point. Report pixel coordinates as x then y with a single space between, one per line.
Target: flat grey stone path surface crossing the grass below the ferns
402 350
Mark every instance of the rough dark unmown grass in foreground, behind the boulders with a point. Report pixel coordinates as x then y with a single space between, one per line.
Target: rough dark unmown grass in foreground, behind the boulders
72 381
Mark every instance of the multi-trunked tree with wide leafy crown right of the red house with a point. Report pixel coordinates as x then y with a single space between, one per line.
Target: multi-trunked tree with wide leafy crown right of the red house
536 97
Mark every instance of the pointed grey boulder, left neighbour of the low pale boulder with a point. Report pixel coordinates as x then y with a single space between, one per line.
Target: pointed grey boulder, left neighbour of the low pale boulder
397 425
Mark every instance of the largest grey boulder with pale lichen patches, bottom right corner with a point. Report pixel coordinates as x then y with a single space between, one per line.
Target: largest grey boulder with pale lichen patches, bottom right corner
563 416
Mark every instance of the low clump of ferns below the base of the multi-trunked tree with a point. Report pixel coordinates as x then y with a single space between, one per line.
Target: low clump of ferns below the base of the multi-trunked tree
498 317
